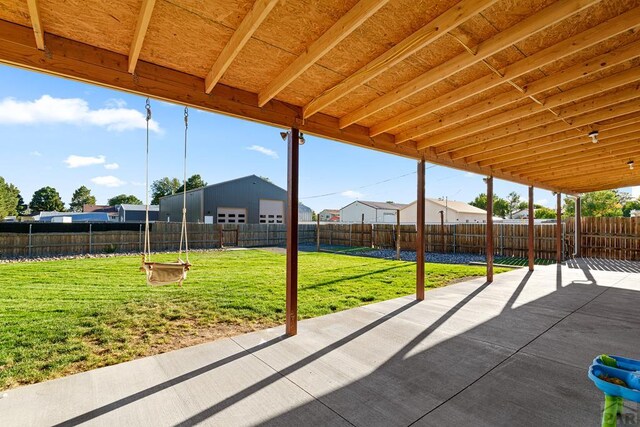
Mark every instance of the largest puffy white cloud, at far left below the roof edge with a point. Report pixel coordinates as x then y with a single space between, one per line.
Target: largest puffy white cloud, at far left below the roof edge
48 109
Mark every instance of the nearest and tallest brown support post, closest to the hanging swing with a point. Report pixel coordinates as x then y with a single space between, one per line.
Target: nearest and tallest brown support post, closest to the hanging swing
293 142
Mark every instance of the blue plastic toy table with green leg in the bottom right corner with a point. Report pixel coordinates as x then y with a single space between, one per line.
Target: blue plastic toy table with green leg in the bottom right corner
618 378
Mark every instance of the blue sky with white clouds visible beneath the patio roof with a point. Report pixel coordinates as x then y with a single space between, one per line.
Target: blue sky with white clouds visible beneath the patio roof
65 134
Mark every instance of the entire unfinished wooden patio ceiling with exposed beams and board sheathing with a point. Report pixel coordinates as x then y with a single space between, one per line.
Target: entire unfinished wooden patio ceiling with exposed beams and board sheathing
507 88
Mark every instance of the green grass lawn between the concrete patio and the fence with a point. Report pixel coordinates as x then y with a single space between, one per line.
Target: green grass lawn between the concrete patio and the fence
61 317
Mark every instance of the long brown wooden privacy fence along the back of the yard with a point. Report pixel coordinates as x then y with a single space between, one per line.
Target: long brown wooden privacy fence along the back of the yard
609 238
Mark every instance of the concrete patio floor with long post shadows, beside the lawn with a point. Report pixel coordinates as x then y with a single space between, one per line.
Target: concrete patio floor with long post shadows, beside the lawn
514 352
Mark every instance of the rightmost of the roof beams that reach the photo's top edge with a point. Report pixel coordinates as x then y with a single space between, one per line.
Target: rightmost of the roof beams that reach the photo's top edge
550 15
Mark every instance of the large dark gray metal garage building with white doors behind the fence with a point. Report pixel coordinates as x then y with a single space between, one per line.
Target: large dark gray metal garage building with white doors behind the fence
247 200
